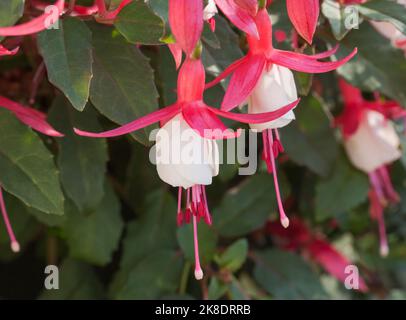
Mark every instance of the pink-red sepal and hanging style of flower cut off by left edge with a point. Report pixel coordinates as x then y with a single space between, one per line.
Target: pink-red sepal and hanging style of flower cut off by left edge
36 120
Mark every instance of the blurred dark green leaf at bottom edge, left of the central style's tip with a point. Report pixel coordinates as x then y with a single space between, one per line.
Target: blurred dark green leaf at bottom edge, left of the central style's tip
155 276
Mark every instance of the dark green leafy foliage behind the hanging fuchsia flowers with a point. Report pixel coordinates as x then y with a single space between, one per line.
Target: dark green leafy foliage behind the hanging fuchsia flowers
97 209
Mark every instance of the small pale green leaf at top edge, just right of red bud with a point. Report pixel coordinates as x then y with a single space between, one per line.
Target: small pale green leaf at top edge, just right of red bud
336 15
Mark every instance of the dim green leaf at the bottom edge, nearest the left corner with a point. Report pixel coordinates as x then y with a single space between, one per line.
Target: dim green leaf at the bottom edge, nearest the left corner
77 281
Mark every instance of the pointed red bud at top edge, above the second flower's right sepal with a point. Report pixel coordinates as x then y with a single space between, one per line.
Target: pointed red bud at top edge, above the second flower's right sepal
304 15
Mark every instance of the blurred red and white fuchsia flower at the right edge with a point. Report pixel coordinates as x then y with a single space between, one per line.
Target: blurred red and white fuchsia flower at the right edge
372 143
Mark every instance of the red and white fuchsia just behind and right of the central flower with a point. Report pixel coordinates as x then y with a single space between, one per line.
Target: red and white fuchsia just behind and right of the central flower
263 80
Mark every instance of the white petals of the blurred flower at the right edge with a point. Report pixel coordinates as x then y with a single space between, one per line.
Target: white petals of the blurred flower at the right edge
374 144
